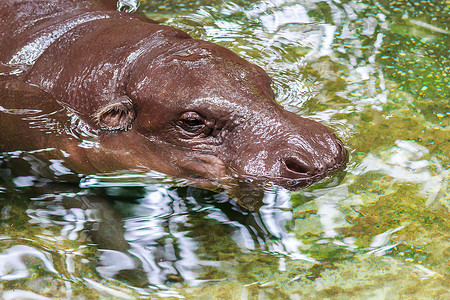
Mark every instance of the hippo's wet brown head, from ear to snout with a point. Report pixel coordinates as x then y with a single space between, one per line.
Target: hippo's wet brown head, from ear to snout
212 118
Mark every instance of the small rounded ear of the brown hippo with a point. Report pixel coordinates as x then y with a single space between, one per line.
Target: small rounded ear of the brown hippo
116 116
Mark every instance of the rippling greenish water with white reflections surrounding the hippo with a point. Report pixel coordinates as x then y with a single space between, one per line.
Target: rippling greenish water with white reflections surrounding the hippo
377 72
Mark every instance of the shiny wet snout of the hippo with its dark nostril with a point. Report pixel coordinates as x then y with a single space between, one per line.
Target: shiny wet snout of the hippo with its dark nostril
296 159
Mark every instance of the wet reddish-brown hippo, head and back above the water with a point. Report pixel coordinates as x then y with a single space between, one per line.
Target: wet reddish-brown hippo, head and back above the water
144 96
